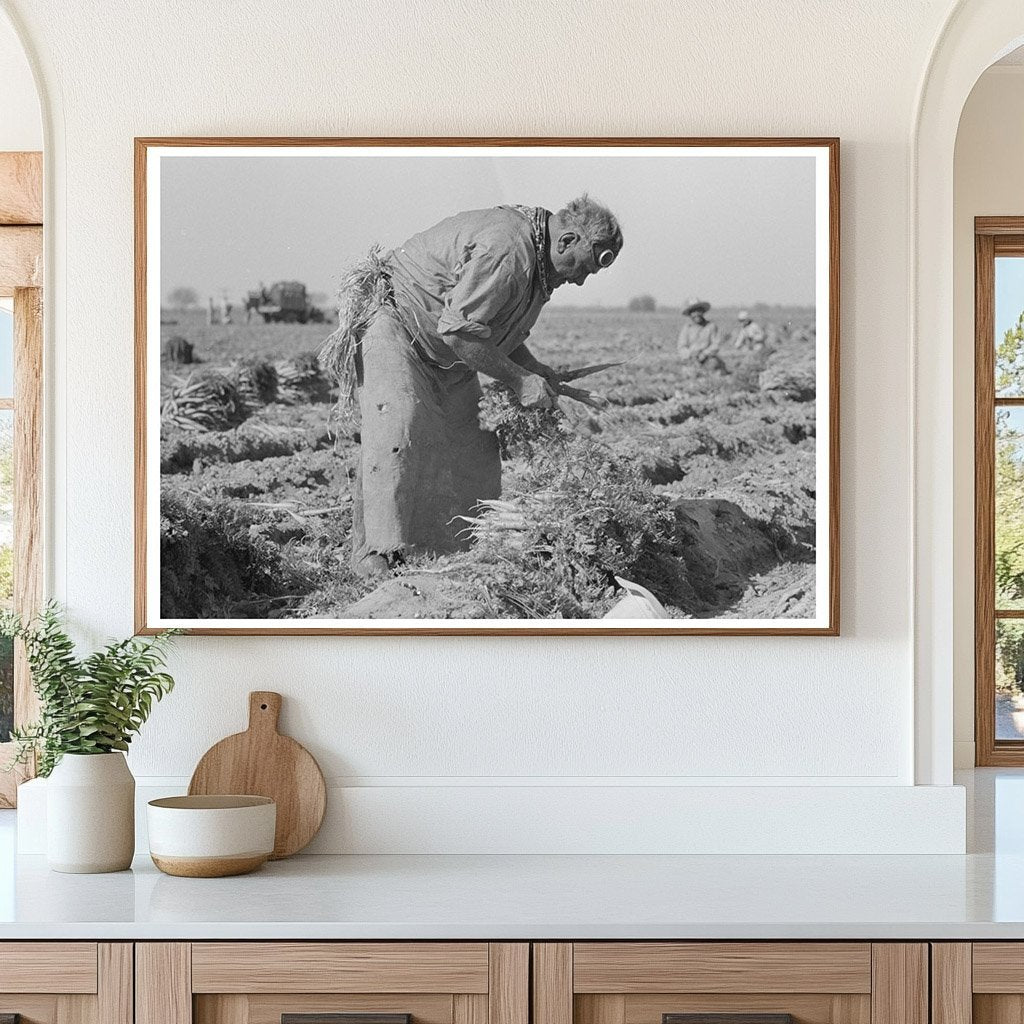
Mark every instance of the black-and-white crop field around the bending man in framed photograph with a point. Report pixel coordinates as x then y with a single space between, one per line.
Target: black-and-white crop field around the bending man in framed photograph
698 484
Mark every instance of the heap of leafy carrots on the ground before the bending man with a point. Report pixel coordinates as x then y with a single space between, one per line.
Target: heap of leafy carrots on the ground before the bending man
579 517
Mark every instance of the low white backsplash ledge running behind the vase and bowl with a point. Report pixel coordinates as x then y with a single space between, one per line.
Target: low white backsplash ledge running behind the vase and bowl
605 820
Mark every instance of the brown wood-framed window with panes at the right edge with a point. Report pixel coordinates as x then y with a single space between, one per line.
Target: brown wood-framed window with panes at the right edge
1000 491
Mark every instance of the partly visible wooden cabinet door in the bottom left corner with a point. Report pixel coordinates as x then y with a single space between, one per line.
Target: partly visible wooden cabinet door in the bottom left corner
66 984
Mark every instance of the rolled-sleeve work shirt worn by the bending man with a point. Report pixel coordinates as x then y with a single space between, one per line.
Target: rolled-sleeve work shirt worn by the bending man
475 275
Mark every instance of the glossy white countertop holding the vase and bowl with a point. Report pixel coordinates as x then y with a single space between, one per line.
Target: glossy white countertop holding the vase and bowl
977 897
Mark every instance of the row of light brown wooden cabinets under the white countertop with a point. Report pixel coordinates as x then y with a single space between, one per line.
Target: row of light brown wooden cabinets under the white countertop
513 983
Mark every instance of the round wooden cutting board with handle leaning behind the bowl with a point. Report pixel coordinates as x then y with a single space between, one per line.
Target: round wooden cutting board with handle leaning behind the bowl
261 762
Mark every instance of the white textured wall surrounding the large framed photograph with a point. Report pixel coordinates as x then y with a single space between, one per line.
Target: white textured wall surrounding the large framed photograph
437 714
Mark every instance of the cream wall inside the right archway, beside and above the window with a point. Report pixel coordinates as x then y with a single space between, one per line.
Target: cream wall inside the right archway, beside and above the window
988 183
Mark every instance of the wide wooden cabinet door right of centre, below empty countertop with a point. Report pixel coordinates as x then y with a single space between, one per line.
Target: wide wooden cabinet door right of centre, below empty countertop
731 984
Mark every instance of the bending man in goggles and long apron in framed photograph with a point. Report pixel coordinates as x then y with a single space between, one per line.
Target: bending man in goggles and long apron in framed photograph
456 301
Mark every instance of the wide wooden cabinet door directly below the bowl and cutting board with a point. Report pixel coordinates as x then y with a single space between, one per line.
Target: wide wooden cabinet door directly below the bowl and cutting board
333 984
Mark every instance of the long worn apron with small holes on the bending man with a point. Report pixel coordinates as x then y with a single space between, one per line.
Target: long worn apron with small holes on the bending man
424 459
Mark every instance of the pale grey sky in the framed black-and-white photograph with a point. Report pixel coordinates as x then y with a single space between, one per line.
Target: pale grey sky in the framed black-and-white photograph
734 230
